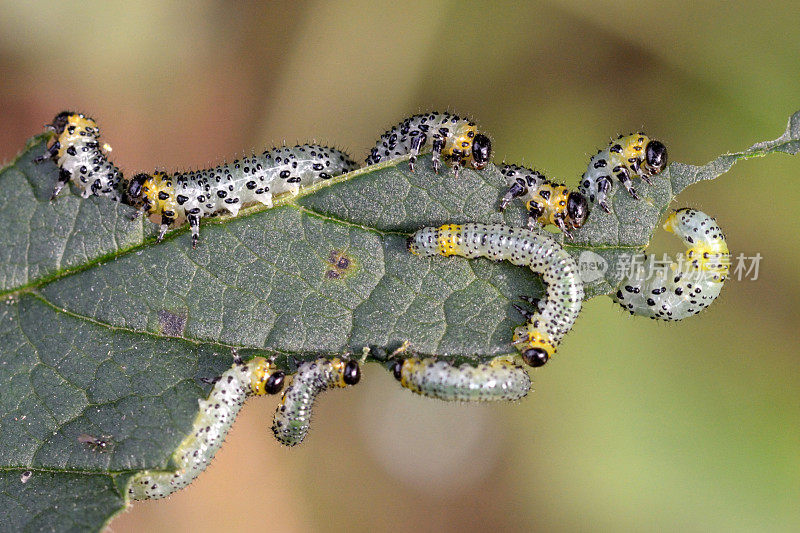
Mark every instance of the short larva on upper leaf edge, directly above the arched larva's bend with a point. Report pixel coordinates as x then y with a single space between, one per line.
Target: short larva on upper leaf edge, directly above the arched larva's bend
547 203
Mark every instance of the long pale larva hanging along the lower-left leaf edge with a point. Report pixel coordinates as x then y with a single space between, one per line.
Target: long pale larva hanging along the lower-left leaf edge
211 425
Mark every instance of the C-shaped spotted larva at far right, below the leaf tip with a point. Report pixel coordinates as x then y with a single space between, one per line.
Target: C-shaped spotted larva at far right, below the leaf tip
683 288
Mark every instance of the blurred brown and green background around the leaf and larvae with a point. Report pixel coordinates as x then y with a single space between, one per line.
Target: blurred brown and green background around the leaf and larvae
637 425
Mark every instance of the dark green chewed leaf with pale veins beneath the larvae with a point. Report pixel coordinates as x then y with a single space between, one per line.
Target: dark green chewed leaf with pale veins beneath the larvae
109 334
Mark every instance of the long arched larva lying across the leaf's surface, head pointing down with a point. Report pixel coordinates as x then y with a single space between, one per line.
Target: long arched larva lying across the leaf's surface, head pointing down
545 327
